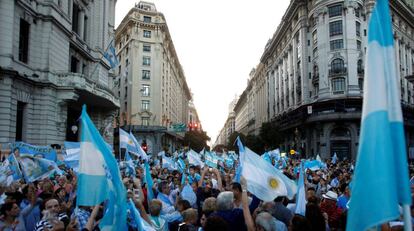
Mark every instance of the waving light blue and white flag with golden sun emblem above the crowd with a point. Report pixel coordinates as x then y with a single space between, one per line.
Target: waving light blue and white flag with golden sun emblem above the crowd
262 178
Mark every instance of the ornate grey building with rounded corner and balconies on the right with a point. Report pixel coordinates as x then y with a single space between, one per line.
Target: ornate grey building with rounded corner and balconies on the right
314 72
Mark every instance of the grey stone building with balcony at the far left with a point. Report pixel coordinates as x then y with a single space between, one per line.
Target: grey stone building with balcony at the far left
50 65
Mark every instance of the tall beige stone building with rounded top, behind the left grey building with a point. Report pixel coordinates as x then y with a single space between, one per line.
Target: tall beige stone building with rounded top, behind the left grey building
153 91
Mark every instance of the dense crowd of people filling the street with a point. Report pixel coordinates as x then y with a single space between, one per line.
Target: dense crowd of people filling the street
199 198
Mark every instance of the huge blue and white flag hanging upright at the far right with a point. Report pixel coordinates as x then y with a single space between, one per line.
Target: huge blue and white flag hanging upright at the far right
381 180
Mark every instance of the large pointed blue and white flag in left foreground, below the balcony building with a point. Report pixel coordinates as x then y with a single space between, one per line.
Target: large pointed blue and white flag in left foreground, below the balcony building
99 179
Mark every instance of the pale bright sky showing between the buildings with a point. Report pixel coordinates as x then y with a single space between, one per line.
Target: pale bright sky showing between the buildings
218 42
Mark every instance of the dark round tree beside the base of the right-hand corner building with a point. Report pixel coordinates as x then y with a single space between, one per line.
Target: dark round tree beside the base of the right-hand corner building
270 135
